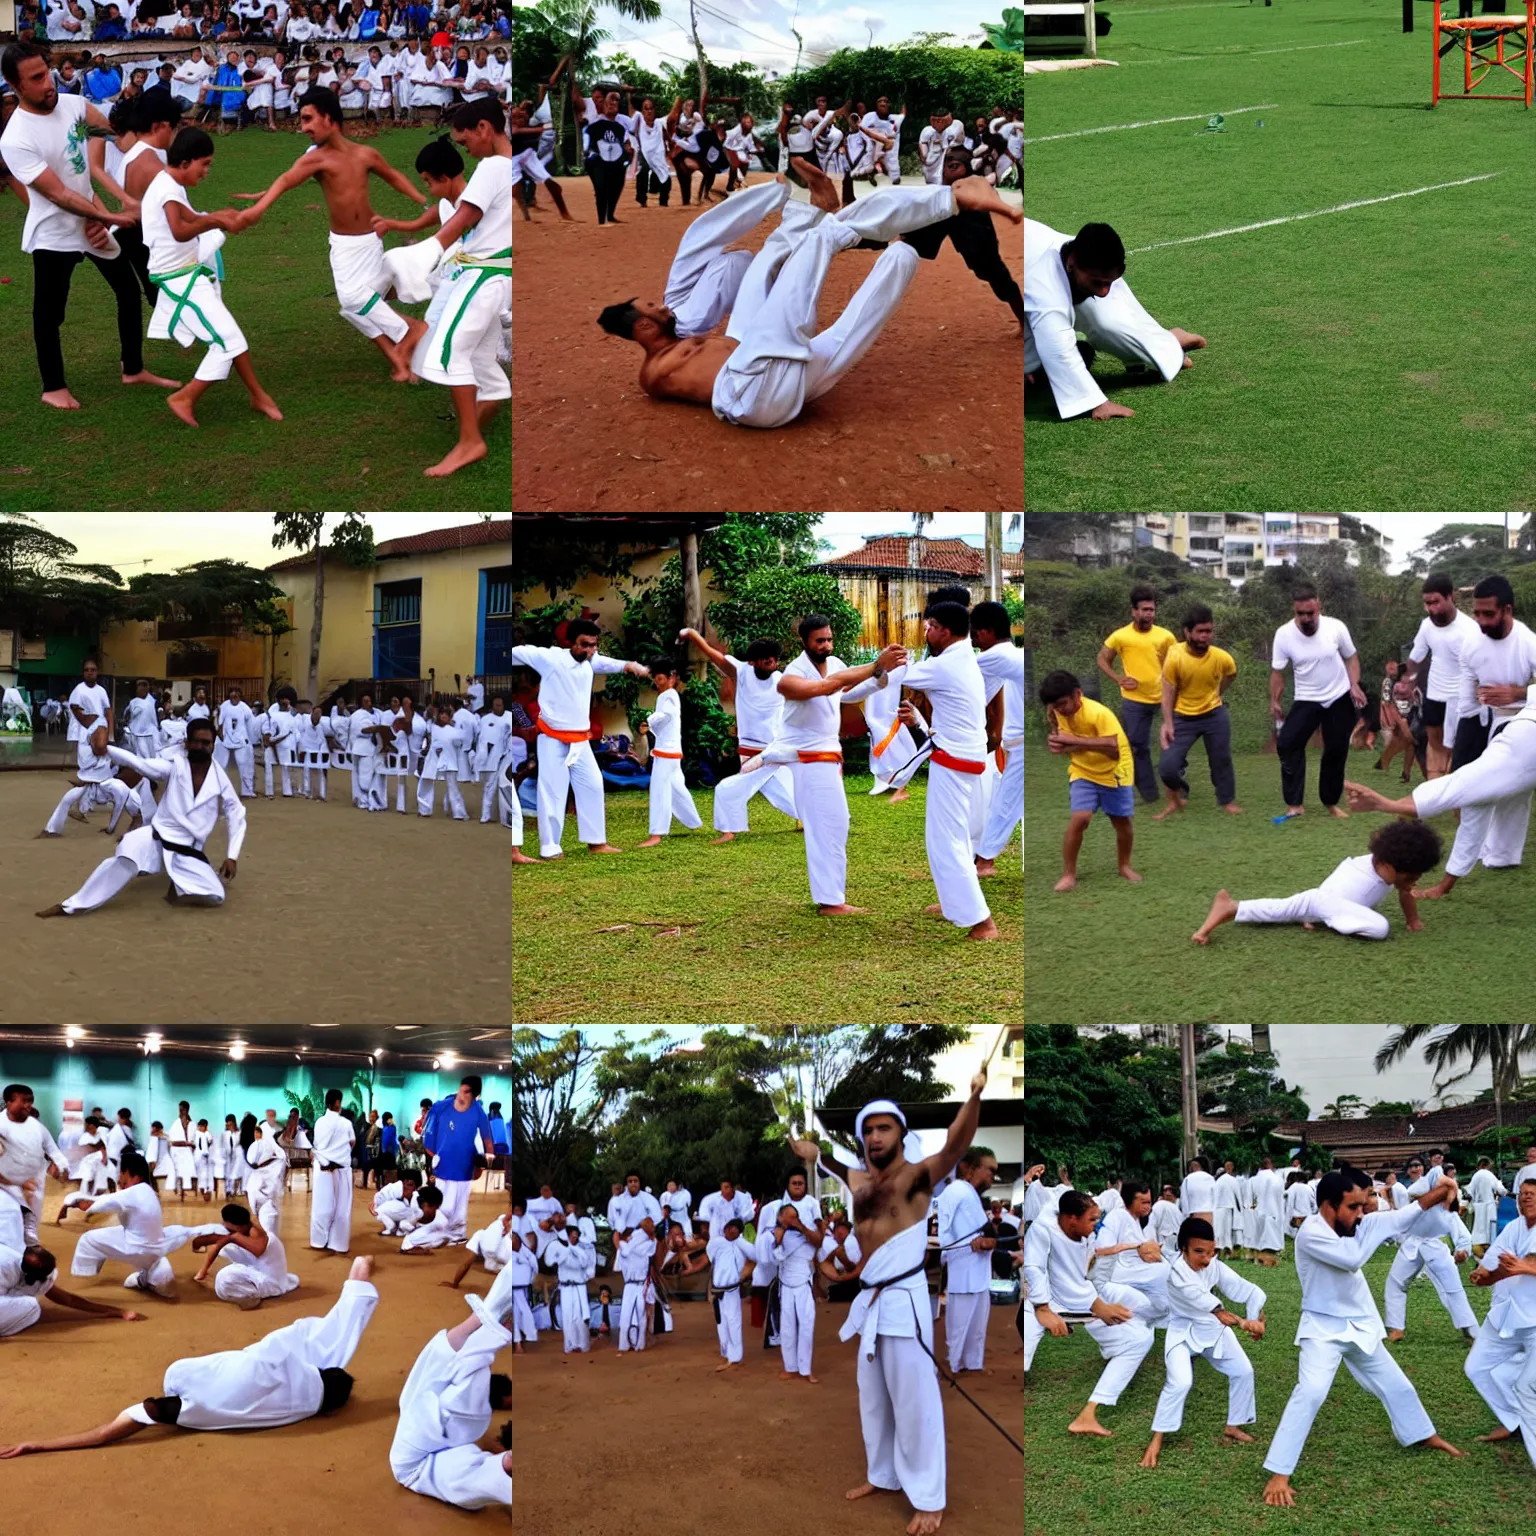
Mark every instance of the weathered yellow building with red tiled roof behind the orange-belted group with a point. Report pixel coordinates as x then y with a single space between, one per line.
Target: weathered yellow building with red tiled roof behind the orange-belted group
890 578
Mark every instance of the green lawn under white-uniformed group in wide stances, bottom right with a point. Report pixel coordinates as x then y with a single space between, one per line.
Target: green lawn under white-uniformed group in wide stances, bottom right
1352 1480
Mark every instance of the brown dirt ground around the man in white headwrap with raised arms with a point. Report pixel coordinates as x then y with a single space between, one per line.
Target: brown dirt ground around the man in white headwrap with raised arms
744 1451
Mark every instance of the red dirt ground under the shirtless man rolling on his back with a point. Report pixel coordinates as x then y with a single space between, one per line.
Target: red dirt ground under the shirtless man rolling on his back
930 422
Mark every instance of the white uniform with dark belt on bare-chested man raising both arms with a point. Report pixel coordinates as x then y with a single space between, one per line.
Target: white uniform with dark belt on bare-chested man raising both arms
901 1411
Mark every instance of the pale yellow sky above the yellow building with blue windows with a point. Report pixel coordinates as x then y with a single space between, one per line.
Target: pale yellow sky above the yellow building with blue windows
162 541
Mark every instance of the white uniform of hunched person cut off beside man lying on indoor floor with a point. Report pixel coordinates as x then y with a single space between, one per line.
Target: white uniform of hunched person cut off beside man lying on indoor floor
445 1409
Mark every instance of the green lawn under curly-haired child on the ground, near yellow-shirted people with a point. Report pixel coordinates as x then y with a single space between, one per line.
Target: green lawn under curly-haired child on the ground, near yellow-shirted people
1136 964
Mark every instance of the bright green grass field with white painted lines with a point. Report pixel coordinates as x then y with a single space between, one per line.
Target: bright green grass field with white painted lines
1365 360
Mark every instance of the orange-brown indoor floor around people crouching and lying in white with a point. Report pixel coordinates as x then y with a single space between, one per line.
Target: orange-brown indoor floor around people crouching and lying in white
73 1372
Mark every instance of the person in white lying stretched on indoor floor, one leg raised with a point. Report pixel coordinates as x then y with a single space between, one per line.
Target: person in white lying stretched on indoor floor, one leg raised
293 1374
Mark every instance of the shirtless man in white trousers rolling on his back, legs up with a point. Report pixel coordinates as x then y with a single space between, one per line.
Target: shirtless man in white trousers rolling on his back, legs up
778 385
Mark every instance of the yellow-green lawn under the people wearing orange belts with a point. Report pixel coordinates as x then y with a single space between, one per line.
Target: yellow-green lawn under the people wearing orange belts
760 955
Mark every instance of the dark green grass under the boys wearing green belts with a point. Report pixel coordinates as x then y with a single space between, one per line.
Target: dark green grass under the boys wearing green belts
349 437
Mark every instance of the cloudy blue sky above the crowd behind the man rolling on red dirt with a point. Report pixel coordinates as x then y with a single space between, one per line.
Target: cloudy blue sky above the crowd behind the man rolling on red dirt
760 30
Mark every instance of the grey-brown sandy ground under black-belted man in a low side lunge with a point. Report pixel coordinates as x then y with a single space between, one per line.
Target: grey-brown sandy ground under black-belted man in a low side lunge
326 915
